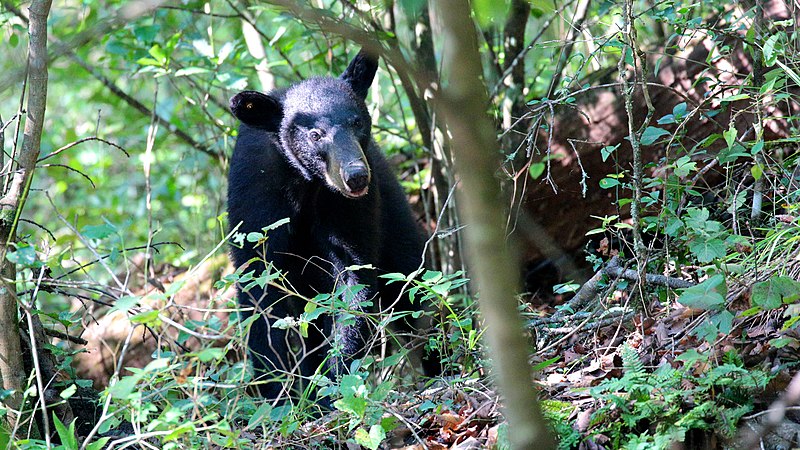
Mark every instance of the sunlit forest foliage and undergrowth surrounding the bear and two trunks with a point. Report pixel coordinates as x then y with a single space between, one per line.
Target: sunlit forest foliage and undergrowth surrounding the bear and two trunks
123 238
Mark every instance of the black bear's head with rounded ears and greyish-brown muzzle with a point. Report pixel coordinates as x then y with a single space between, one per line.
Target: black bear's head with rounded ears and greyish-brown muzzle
323 123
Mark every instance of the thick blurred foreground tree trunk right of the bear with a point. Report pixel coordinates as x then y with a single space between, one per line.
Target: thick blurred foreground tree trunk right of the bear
464 102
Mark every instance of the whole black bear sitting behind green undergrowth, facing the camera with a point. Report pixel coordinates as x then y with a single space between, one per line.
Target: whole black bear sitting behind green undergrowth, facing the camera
306 153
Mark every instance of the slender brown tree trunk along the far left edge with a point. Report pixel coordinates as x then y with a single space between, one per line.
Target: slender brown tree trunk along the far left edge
11 365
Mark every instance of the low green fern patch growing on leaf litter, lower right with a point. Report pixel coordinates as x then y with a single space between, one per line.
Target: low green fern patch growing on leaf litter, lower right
652 409
